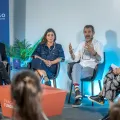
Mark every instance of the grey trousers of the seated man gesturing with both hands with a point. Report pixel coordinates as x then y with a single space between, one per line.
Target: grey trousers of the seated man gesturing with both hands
79 72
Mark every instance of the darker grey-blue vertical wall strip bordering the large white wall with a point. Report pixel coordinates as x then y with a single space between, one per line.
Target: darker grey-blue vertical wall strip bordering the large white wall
19 19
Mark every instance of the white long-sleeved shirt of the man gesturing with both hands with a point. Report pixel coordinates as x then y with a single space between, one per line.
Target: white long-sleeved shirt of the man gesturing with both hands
86 59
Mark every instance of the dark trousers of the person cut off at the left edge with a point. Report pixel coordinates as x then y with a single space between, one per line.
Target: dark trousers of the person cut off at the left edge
4 77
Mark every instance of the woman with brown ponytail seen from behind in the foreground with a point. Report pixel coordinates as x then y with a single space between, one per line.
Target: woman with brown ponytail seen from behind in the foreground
26 94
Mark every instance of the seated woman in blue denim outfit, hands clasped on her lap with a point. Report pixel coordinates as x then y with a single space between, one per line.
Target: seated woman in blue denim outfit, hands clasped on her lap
47 55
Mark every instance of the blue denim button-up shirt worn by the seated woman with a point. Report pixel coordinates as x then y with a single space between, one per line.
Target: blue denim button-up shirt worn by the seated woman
52 53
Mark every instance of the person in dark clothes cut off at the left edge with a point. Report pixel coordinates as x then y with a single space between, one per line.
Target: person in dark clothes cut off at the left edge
4 77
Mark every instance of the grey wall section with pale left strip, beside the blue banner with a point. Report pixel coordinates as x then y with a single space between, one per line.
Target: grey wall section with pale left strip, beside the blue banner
17 14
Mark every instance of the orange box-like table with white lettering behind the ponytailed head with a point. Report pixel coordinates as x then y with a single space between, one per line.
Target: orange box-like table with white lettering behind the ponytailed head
52 101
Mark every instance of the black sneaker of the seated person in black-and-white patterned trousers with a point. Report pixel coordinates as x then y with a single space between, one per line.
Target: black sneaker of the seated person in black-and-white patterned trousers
98 99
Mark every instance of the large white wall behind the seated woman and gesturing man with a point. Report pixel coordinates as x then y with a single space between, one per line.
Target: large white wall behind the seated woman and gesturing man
68 17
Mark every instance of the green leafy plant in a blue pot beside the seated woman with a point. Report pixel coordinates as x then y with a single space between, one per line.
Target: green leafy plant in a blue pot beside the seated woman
19 52
